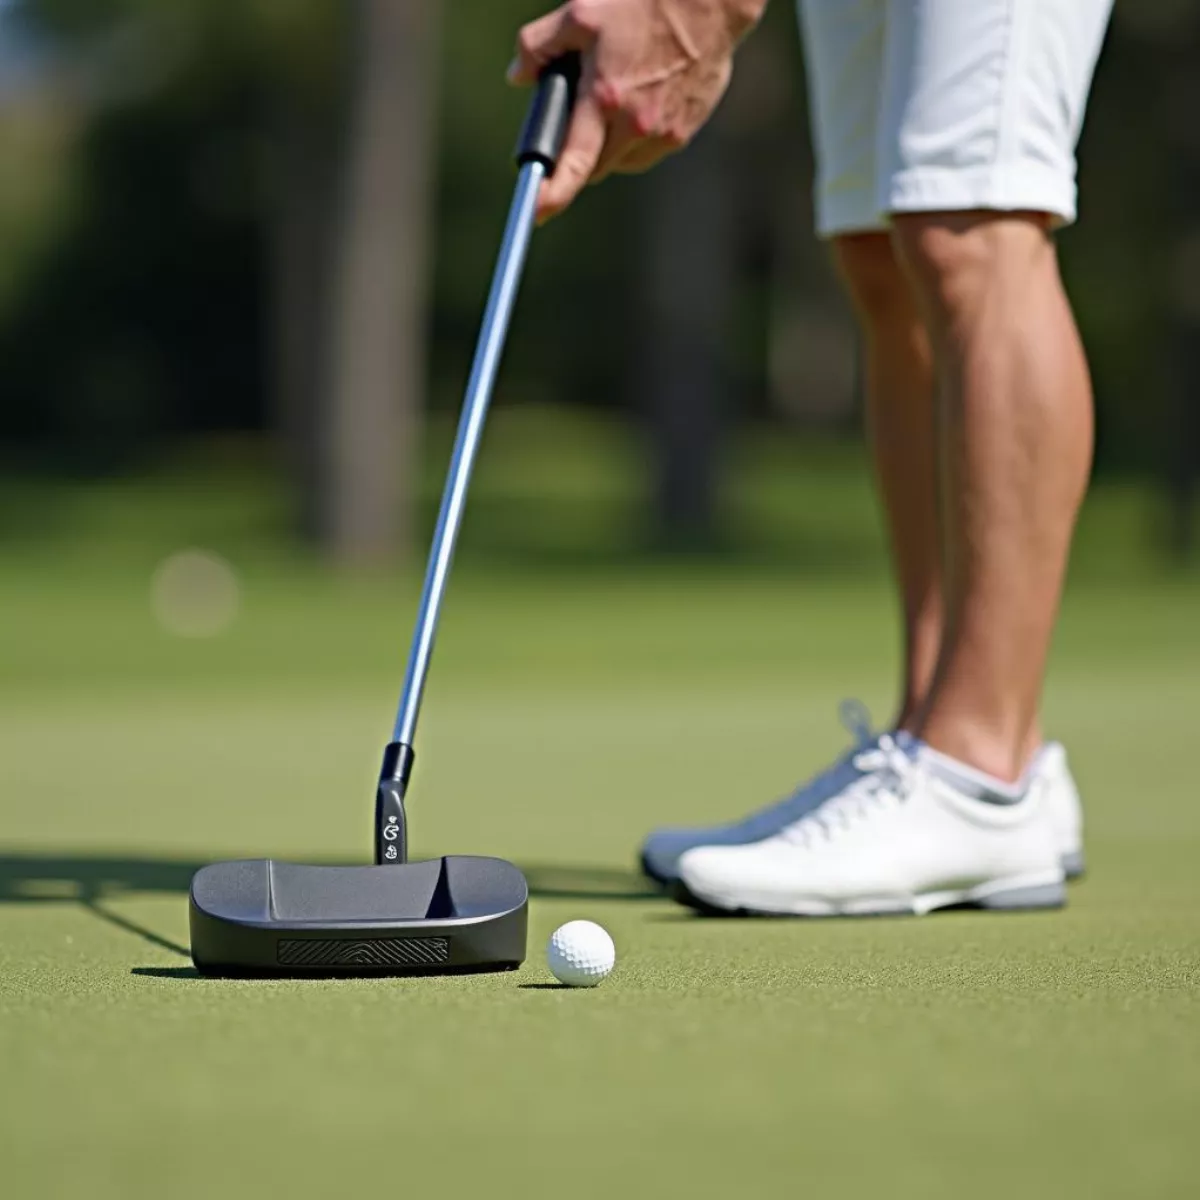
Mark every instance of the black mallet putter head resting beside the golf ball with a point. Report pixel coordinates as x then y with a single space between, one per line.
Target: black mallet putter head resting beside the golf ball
262 917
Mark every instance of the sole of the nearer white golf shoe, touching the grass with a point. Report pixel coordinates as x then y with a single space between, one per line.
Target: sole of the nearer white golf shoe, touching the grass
1023 893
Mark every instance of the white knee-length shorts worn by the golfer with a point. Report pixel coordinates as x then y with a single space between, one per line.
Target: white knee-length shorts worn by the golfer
931 106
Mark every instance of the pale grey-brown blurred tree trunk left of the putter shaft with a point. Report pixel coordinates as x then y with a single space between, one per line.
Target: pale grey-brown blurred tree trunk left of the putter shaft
377 358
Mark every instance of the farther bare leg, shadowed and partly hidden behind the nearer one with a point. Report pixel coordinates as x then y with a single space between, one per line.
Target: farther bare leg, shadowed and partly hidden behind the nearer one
901 419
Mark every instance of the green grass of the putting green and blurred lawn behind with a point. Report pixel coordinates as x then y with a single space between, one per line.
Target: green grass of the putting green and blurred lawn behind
577 701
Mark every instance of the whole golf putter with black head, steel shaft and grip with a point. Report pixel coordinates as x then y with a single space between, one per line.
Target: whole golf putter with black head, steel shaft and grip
446 915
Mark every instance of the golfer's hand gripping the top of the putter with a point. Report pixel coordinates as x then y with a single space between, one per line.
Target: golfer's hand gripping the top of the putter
653 74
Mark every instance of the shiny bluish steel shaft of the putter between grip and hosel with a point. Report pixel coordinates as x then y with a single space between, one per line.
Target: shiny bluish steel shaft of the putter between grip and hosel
489 353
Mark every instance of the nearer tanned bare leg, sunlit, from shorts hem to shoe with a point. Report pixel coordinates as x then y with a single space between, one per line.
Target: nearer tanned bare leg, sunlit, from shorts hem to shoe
1016 433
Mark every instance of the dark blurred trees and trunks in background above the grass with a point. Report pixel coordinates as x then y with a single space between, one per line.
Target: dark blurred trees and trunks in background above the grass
273 225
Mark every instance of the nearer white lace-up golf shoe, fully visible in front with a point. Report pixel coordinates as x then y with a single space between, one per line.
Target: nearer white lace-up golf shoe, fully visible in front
907 838
